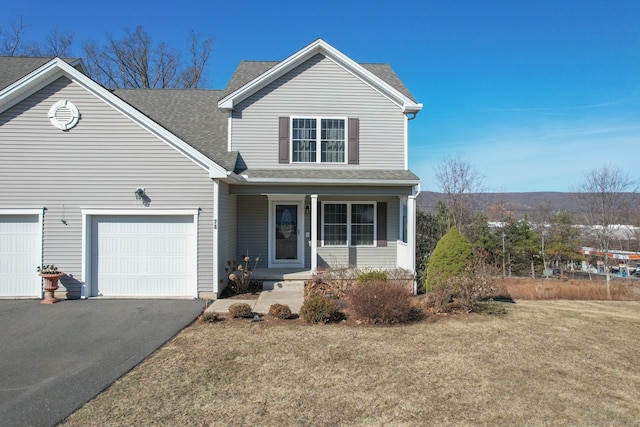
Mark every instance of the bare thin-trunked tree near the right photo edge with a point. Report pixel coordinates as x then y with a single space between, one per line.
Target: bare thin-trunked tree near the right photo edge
604 197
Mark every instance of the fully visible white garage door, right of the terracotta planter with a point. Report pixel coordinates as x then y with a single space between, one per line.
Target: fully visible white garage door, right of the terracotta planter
143 256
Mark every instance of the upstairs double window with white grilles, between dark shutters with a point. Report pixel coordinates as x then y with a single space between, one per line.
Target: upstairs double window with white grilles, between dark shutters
310 146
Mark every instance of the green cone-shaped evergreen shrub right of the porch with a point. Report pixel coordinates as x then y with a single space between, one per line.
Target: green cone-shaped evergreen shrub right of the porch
451 258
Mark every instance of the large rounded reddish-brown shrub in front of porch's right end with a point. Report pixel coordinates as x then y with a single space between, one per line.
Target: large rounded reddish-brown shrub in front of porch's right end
381 302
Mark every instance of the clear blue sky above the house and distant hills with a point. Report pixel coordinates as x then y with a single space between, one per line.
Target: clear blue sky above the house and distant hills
532 93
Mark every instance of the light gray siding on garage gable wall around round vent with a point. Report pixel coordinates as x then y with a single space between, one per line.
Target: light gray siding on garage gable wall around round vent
97 164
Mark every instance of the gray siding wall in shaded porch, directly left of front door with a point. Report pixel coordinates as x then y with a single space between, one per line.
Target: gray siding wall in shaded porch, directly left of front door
253 228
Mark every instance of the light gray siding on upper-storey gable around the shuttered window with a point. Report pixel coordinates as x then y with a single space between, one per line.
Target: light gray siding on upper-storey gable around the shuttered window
317 88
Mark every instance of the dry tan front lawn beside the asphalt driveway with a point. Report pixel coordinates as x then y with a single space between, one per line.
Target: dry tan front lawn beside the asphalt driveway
542 363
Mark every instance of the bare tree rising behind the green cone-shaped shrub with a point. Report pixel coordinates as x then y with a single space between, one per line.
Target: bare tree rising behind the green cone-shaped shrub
458 180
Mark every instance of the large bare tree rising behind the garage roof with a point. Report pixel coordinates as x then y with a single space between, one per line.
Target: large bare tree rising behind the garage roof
134 61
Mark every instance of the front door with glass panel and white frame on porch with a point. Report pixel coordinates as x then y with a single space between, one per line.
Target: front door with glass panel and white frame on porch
287 231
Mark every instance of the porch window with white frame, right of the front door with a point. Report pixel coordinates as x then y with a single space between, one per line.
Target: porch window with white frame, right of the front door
348 224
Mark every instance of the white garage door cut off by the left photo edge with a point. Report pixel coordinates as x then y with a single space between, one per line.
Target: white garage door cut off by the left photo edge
20 254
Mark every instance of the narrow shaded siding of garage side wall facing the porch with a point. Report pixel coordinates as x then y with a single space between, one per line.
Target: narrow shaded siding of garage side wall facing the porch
227 229
